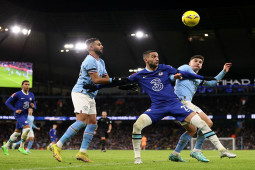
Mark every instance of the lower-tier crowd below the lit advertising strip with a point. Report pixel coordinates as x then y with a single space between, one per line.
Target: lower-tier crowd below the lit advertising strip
162 135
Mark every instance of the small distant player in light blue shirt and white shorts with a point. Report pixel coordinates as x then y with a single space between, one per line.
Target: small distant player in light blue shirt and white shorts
30 136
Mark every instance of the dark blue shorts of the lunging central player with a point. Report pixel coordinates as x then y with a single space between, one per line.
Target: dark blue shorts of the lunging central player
174 108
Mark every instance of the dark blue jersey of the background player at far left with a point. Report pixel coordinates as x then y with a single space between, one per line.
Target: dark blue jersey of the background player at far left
20 101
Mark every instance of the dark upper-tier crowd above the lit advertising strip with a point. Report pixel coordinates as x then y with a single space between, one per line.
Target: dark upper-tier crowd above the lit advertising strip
135 105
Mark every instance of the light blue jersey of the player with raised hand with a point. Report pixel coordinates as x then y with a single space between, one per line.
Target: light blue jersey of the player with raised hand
185 89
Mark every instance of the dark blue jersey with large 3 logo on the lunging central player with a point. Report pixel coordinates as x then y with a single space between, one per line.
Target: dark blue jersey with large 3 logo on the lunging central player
156 83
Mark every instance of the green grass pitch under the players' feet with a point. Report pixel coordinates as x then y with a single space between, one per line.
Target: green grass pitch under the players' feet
123 159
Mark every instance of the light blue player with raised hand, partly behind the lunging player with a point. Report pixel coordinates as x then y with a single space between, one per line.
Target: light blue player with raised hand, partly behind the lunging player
185 90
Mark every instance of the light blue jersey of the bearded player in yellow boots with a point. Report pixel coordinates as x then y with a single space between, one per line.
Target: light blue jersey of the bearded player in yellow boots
89 65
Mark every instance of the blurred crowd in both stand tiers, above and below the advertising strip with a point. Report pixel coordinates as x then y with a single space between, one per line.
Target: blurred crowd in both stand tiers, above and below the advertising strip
163 135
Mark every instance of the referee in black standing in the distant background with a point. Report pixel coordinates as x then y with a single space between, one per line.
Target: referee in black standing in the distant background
104 127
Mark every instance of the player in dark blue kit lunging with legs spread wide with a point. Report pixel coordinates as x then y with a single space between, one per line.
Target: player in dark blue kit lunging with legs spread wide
154 80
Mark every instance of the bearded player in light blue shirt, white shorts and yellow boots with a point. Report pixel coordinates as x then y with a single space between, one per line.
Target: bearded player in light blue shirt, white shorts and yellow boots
92 72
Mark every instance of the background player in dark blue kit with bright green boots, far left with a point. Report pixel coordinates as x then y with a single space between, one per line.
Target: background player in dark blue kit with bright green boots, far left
19 103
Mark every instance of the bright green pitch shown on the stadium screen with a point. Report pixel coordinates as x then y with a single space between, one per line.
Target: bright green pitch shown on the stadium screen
12 80
